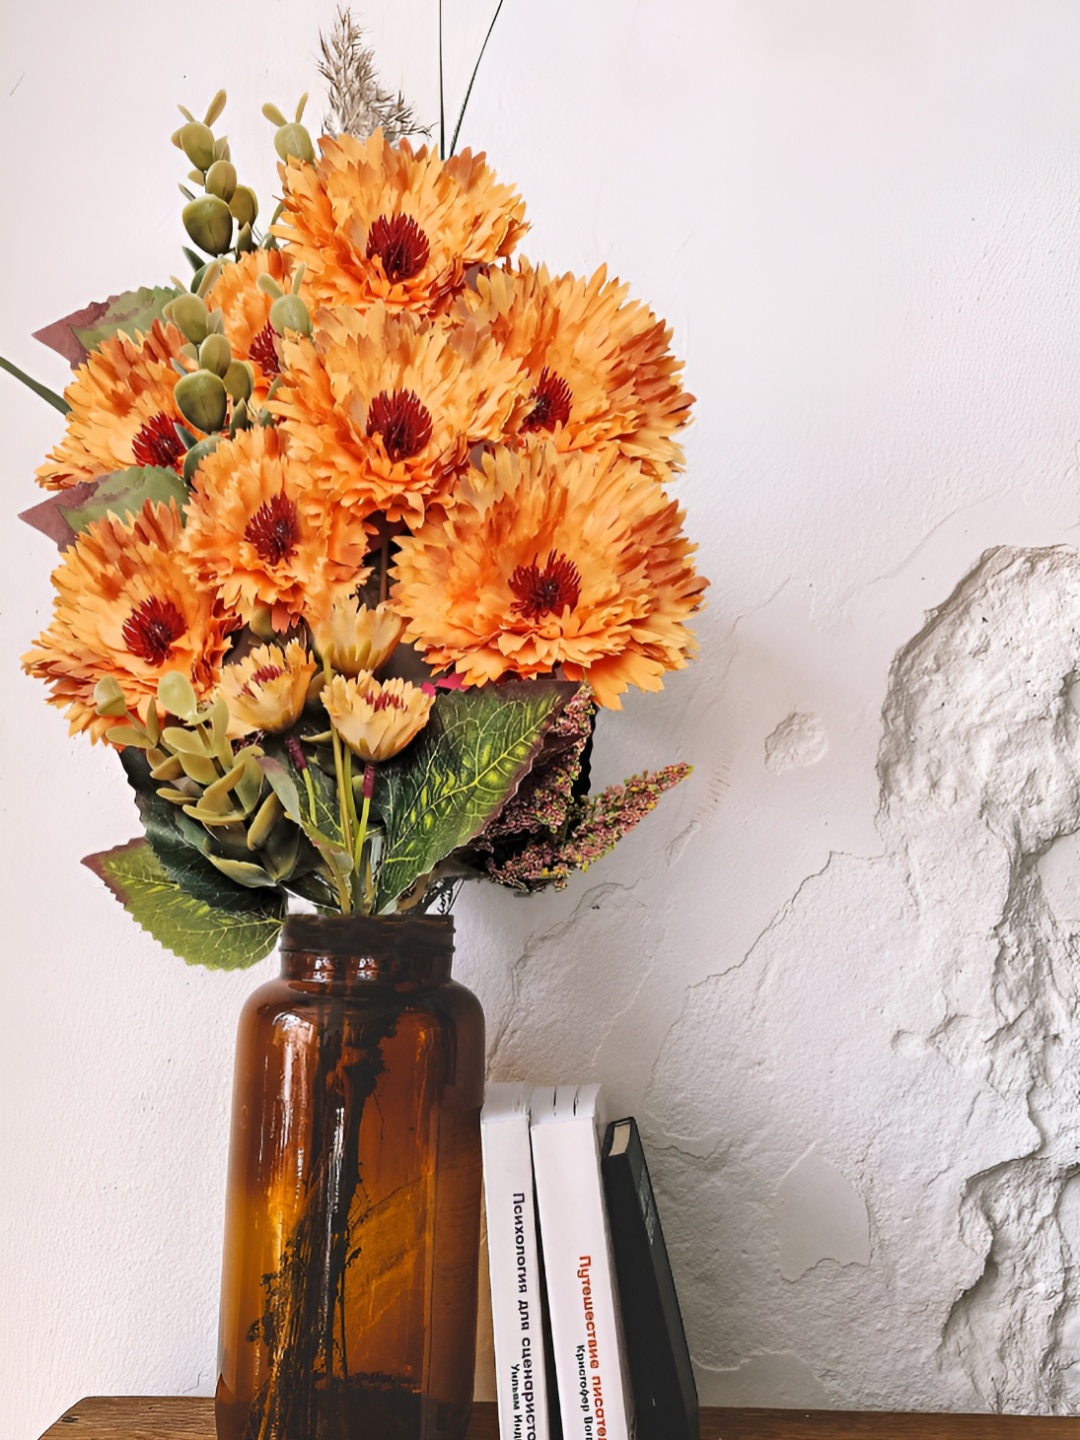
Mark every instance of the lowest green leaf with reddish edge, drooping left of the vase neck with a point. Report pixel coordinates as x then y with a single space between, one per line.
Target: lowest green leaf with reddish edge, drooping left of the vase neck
222 938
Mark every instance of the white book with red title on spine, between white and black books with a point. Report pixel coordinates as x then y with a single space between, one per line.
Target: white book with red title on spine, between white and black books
595 1398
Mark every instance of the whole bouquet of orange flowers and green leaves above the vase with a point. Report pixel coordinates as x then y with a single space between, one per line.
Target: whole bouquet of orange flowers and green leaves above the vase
361 528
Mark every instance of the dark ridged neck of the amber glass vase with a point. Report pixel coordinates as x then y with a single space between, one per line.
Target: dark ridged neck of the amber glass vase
392 950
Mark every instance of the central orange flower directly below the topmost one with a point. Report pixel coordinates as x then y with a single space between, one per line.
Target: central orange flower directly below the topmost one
384 408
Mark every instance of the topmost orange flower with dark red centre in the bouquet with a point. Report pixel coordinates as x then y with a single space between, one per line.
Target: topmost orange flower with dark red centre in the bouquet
375 221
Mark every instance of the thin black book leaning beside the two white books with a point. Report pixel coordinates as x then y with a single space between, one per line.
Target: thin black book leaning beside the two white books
657 1356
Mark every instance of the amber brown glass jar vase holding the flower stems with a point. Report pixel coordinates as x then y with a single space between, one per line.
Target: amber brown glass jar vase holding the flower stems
349 1295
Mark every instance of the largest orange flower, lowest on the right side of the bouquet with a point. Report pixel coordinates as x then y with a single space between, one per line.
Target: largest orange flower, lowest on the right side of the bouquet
577 562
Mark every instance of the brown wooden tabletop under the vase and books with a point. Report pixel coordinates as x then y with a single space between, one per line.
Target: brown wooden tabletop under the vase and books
155 1419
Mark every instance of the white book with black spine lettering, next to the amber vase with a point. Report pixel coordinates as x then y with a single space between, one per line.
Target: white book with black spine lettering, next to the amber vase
515 1265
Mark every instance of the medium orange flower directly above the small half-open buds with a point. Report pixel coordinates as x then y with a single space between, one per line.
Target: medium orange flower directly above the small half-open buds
254 532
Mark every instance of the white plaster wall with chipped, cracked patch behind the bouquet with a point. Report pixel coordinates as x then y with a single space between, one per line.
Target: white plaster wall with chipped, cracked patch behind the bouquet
837 976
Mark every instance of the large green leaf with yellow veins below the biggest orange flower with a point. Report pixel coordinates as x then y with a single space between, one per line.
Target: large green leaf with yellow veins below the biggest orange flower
462 770
